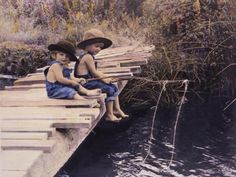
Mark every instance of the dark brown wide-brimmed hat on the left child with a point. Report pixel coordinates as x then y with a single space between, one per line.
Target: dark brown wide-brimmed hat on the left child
65 47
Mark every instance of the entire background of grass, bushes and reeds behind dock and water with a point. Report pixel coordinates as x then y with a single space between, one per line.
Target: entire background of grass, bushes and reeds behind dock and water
193 39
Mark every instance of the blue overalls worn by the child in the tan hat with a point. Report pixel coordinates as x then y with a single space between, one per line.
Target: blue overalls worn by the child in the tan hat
110 89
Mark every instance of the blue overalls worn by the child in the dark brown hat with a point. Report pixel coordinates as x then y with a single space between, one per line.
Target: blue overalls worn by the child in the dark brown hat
59 90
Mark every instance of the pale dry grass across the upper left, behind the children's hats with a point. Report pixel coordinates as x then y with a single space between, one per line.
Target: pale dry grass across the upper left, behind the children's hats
42 22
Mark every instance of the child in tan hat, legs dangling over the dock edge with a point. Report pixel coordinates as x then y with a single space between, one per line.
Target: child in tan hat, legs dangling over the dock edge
85 67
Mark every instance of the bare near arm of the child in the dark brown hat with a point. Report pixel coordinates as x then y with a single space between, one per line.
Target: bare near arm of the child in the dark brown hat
57 70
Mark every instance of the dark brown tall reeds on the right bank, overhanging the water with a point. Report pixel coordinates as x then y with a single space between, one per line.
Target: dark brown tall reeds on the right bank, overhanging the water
194 40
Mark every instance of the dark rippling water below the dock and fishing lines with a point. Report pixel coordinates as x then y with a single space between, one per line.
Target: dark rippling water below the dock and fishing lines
205 145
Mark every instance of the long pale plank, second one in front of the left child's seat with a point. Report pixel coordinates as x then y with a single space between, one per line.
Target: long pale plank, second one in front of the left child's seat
38 113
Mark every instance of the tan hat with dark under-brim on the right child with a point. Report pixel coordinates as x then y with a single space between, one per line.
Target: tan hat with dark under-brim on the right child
93 36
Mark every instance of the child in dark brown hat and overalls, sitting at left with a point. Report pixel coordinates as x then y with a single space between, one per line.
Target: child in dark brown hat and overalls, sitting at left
60 83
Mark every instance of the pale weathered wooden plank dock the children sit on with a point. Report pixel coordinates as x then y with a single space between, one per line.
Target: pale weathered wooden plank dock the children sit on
38 134
